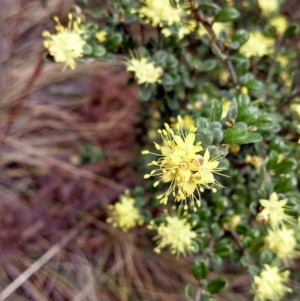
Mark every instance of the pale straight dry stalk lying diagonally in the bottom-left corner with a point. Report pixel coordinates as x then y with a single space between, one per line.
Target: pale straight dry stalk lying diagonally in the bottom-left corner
40 262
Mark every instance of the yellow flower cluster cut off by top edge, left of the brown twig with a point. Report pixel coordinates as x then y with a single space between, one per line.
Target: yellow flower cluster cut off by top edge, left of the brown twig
161 12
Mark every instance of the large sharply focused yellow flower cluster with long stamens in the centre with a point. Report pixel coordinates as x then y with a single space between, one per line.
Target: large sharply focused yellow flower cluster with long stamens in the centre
182 165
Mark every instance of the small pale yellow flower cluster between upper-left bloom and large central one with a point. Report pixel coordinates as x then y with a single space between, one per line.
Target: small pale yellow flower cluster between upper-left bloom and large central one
145 72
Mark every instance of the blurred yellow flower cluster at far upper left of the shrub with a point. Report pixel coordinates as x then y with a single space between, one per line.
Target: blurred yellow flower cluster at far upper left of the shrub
67 44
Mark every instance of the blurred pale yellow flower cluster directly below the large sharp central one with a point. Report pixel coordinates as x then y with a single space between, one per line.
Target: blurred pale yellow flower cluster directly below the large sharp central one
176 233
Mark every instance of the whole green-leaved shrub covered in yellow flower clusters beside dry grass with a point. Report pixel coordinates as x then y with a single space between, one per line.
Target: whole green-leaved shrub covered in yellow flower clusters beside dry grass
229 162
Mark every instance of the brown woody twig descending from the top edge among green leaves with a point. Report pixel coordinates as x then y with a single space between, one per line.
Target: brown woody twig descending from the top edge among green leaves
200 18
